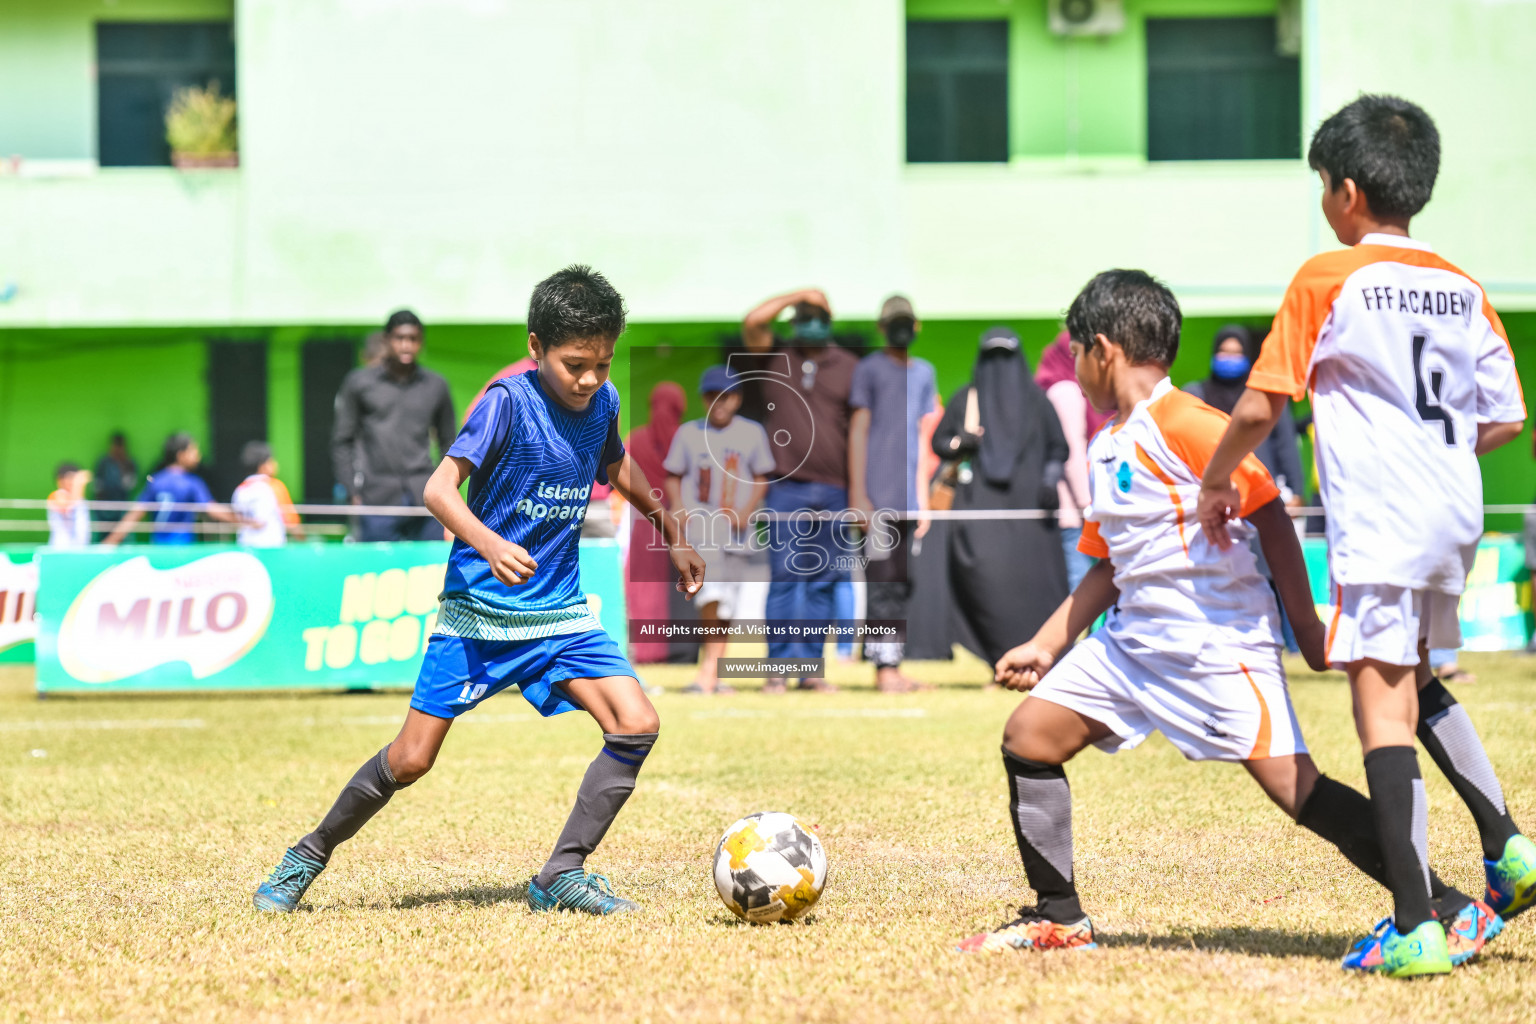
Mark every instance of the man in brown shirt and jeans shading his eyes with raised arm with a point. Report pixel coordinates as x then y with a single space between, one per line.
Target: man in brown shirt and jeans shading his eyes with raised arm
809 431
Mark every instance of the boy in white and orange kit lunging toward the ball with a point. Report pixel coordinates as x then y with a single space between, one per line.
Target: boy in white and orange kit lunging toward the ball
1191 641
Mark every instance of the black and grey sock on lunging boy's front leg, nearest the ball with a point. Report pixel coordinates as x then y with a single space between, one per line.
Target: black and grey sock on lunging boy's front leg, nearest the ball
1041 802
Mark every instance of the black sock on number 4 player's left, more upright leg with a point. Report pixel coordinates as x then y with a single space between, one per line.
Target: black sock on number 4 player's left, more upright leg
1397 796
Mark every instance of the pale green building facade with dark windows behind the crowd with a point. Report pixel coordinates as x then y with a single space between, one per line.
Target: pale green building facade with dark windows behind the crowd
704 156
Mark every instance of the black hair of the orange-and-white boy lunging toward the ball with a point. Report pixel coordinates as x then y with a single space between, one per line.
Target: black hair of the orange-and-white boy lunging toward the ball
1134 311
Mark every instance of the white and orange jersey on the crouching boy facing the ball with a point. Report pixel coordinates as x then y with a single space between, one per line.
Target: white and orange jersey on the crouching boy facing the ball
1177 590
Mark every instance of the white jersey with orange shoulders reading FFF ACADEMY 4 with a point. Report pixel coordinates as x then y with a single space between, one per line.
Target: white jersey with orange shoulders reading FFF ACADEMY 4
1405 358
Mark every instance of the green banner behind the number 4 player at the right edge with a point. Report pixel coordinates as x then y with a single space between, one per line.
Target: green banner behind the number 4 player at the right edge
1495 609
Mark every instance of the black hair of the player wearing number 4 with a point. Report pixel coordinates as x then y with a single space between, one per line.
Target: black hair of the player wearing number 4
1389 147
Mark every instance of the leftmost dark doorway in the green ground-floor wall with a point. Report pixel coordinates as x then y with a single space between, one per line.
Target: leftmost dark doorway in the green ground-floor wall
237 411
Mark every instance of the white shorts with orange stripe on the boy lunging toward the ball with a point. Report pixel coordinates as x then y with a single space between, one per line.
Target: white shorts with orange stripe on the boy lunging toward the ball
1225 704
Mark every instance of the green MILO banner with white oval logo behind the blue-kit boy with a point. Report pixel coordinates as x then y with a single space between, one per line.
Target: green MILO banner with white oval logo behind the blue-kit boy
208 618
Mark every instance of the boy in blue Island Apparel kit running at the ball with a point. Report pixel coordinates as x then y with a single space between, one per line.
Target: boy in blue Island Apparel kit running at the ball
512 609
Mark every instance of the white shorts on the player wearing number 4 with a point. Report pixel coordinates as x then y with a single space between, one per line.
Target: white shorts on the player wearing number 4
1386 624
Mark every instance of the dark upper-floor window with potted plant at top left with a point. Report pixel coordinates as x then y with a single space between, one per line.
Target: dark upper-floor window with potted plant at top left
141 65
